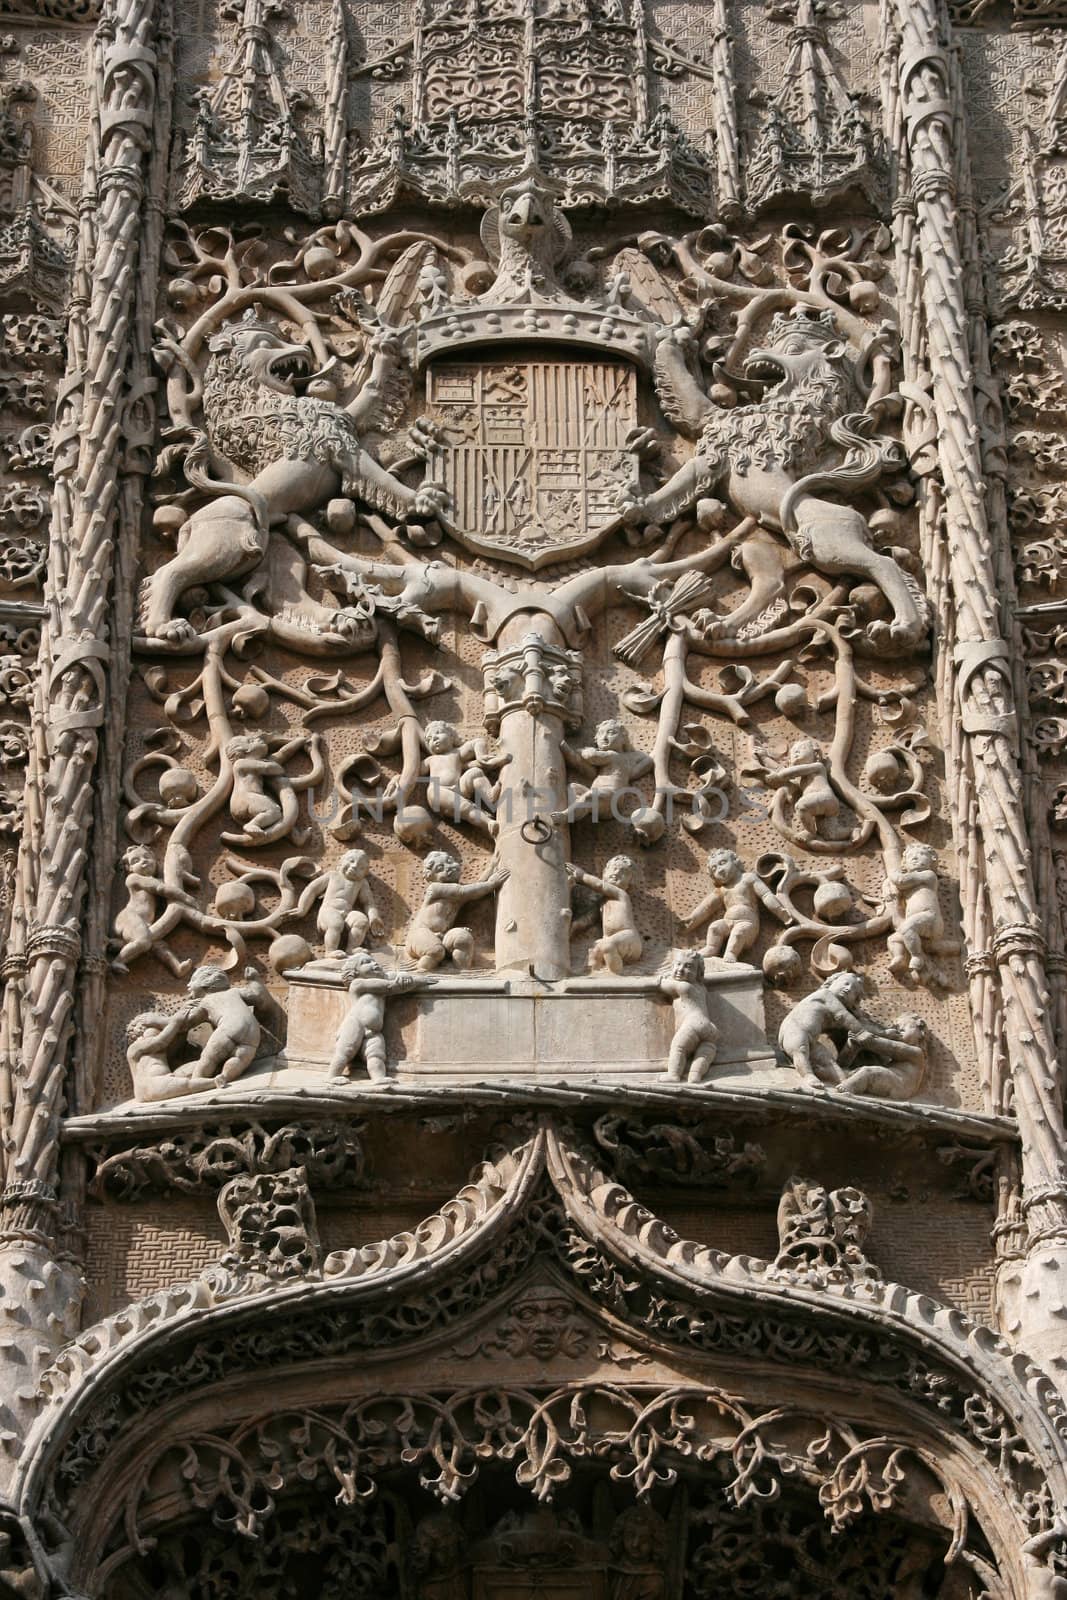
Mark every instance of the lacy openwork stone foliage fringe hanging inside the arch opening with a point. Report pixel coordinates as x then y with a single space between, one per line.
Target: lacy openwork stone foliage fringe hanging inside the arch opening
449 1439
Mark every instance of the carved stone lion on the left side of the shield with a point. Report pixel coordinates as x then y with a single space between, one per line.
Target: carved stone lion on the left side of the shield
295 454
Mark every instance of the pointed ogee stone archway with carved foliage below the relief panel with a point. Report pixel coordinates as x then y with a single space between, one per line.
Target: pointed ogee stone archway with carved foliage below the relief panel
690 1367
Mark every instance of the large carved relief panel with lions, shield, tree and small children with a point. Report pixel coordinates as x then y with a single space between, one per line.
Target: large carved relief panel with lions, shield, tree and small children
318 506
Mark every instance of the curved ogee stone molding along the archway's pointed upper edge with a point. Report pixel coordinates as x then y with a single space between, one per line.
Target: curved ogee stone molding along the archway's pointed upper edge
605 1220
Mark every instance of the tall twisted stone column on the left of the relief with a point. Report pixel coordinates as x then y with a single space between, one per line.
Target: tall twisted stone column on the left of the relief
39 1289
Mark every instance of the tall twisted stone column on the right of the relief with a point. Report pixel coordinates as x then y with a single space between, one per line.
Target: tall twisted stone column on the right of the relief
985 686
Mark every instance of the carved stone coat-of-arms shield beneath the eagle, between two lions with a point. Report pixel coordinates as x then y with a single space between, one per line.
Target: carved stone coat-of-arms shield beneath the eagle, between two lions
533 454
